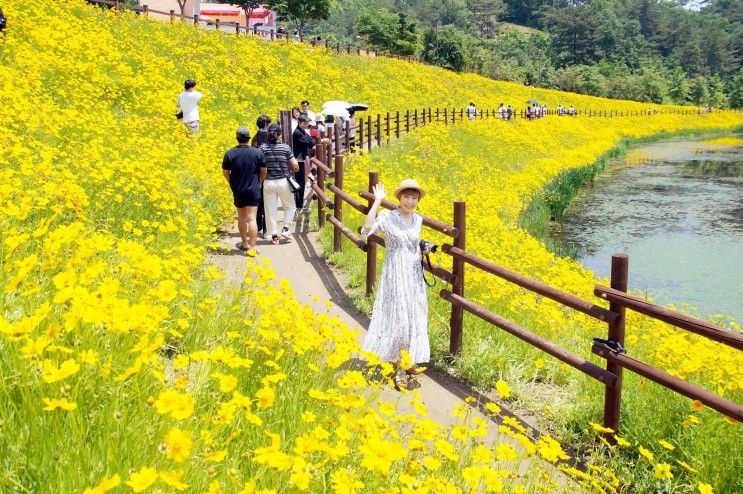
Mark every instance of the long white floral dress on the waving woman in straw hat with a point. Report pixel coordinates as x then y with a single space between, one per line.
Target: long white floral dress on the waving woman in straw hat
400 315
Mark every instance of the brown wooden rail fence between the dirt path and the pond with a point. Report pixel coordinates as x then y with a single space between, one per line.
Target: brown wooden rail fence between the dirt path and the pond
329 160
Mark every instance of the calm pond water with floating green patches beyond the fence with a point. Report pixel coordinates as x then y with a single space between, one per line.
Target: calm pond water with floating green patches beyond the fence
676 208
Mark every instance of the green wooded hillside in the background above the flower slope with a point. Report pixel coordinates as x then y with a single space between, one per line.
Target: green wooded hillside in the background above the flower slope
646 50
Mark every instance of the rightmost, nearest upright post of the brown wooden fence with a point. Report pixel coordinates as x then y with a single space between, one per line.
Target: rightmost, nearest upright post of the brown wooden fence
613 395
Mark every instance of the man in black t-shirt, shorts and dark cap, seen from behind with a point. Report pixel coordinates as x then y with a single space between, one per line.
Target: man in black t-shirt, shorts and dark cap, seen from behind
244 167
